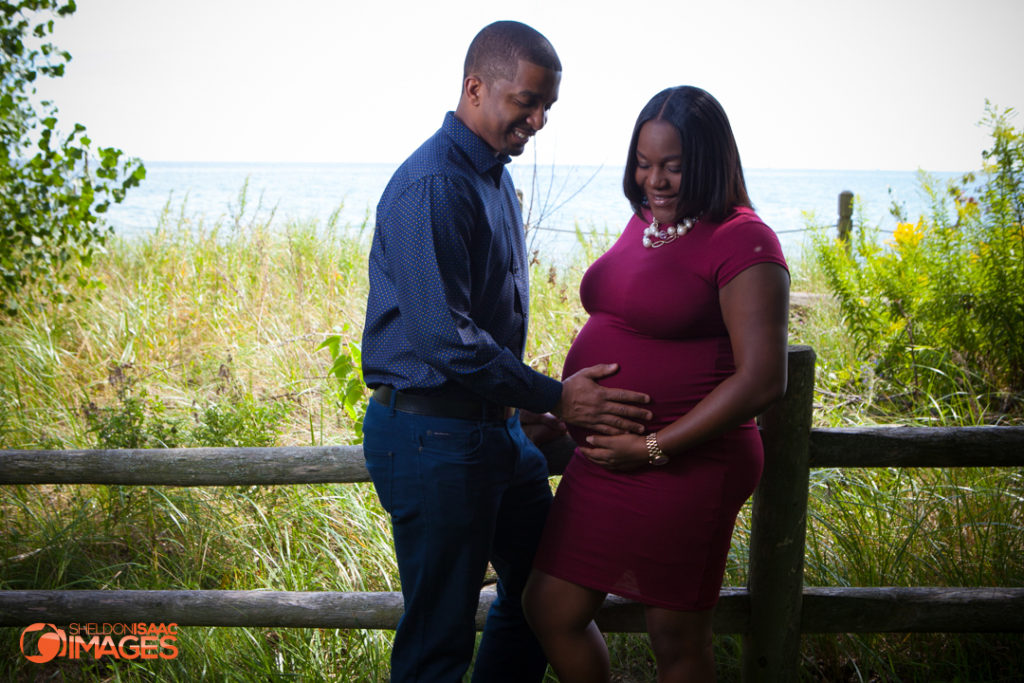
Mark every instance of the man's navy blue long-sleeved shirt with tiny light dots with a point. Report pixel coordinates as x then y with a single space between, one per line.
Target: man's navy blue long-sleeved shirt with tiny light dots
449 280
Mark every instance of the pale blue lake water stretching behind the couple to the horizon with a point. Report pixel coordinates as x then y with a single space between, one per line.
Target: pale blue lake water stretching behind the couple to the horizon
556 199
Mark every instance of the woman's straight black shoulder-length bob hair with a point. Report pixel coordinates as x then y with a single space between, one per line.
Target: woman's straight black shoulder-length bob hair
713 184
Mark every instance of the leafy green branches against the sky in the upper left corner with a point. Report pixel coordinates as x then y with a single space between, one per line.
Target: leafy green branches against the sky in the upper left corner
51 200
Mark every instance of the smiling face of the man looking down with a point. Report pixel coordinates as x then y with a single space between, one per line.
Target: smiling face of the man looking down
508 113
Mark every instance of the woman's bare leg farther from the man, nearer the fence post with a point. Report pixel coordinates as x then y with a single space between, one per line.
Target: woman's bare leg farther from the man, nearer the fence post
682 645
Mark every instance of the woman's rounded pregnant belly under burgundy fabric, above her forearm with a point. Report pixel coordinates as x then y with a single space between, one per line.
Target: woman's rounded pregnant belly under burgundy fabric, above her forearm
675 373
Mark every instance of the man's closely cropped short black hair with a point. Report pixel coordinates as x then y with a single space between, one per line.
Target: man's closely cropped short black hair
496 52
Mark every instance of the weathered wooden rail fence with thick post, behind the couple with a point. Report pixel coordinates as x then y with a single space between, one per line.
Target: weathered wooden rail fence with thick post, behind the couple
772 613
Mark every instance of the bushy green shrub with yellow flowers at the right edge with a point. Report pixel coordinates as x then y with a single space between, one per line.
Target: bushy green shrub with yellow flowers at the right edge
940 308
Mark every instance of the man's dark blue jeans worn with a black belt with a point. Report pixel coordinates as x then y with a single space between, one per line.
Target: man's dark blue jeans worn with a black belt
460 494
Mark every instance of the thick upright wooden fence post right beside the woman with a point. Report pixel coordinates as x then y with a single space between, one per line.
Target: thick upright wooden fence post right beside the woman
772 648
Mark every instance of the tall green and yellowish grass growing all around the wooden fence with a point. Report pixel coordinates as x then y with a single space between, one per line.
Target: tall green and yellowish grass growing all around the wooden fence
208 332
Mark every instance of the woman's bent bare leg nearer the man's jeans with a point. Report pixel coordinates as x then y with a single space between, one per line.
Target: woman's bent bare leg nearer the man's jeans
562 615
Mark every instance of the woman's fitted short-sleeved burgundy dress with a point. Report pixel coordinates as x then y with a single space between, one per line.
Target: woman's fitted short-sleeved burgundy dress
660 535
